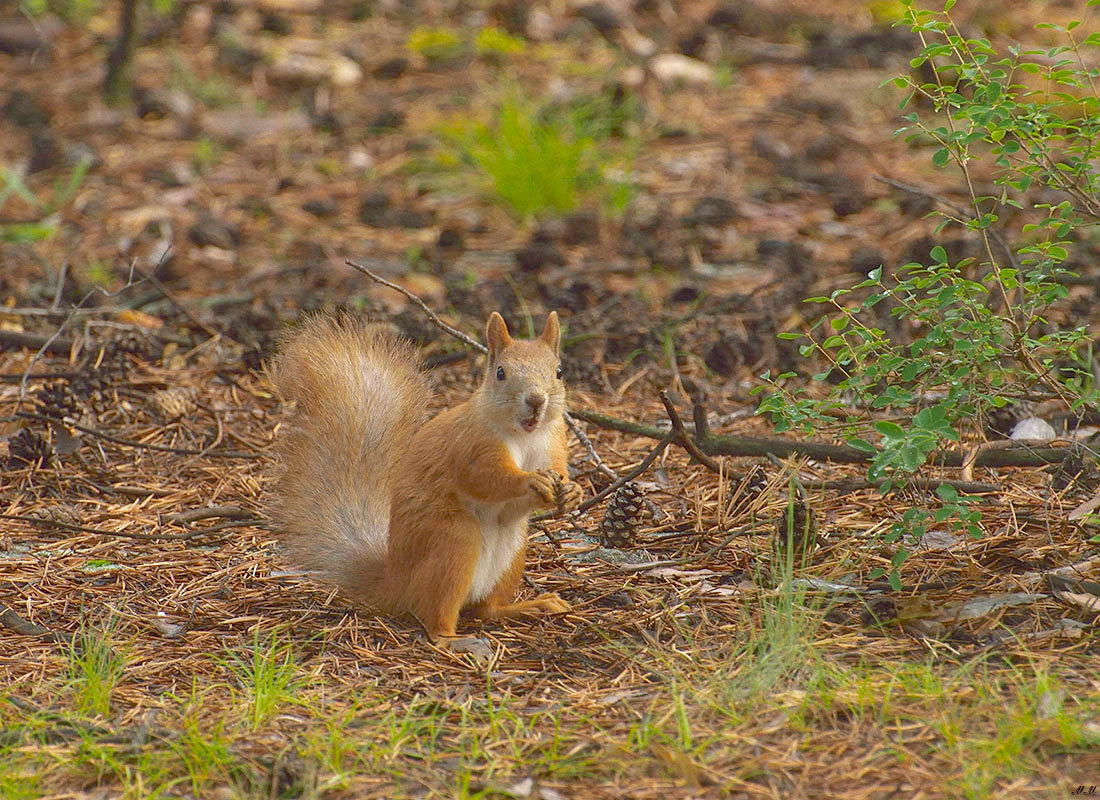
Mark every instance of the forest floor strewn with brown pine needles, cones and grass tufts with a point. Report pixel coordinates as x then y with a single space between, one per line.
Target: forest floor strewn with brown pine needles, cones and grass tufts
157 642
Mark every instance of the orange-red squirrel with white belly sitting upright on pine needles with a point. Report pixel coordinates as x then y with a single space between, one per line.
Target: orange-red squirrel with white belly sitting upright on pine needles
415 517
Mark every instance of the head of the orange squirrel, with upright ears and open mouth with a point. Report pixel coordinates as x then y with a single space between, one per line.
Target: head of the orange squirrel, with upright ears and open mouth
523 385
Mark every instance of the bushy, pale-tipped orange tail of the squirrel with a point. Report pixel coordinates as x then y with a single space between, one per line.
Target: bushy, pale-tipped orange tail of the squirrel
360 396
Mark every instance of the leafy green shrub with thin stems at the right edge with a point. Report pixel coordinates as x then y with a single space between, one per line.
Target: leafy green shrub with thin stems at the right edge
982 333
